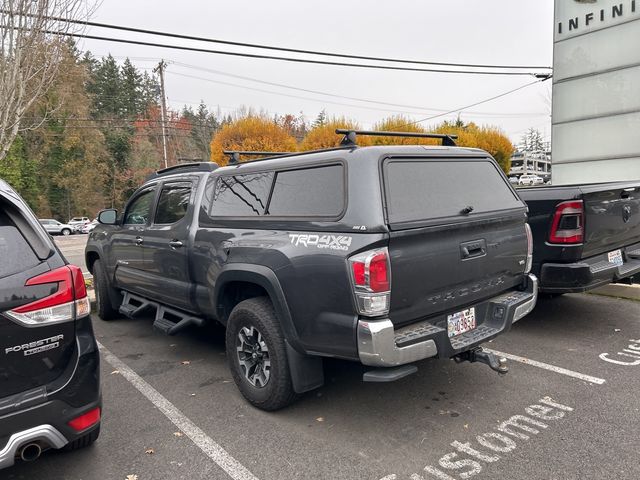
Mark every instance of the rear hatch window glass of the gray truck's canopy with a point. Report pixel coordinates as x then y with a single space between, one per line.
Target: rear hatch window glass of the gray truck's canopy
419 191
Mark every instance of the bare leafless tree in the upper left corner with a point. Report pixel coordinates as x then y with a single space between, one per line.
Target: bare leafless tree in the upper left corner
30 57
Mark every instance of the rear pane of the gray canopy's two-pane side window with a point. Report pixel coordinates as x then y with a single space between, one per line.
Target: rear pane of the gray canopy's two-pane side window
309 192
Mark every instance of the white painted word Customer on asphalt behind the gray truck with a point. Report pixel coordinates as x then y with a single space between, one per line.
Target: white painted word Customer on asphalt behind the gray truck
469 459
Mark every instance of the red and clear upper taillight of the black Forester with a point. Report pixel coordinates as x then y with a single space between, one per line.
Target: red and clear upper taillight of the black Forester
68 302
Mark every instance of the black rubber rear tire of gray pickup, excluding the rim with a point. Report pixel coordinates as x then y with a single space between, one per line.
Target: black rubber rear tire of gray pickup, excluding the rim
278 391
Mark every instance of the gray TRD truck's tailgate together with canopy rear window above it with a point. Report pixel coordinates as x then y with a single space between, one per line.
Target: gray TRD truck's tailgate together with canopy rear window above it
443 257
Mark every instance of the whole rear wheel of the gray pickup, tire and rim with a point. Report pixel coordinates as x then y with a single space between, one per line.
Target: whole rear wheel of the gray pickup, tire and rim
257 355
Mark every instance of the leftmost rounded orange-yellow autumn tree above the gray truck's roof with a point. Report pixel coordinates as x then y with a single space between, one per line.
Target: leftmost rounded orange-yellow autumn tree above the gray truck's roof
252 133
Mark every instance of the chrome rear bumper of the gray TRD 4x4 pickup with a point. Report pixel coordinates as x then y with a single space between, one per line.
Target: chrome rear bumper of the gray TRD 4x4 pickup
381 345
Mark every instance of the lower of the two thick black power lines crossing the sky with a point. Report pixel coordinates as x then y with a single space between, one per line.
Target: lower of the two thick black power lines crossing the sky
285 59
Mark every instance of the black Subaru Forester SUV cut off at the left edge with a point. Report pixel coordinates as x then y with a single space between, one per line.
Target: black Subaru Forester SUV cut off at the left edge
49 361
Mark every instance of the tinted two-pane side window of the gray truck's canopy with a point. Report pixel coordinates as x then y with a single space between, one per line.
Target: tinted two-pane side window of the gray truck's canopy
306 192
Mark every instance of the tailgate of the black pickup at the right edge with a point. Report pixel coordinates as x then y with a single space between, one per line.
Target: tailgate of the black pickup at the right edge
612 217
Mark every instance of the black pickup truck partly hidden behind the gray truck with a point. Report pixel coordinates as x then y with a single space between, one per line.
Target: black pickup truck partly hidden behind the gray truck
584 236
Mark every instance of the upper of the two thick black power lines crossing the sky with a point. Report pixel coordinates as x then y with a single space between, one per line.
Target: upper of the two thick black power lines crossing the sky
294 50
